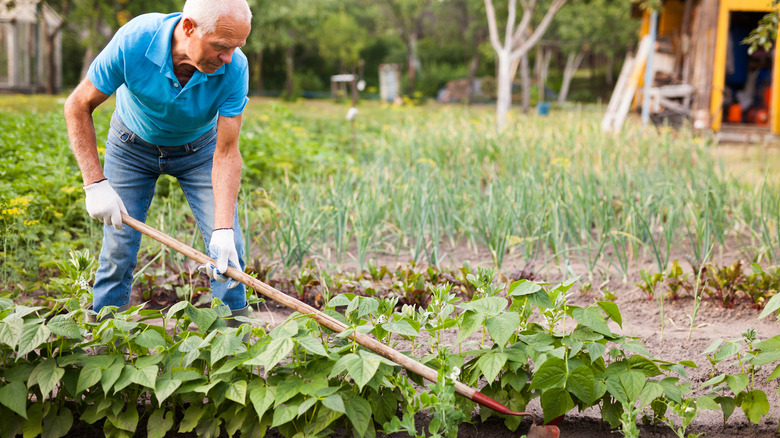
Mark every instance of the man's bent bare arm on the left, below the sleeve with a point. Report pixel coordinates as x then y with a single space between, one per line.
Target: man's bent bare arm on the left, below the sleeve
81 129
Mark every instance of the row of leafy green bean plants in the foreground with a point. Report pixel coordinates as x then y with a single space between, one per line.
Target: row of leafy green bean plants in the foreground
523 339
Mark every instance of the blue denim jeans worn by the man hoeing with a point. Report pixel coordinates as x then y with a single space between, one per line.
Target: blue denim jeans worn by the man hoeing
132 166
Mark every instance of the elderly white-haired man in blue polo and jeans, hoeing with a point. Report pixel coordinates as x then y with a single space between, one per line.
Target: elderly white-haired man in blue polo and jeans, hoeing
181 86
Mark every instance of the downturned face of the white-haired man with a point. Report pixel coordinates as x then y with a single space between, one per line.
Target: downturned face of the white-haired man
211 51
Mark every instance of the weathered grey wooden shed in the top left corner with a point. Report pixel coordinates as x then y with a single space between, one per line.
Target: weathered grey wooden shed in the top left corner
30 47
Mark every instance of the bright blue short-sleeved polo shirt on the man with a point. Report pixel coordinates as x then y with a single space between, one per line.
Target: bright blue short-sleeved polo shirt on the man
137 65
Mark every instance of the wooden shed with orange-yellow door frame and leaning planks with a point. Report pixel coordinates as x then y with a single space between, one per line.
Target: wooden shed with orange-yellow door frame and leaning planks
702 70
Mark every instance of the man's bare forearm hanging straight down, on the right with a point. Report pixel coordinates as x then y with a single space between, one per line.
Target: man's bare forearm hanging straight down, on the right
226 172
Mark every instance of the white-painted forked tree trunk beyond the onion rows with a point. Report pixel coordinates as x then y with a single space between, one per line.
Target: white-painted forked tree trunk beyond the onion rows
517 42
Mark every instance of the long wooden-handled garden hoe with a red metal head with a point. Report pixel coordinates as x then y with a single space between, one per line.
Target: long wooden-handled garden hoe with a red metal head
537 431
